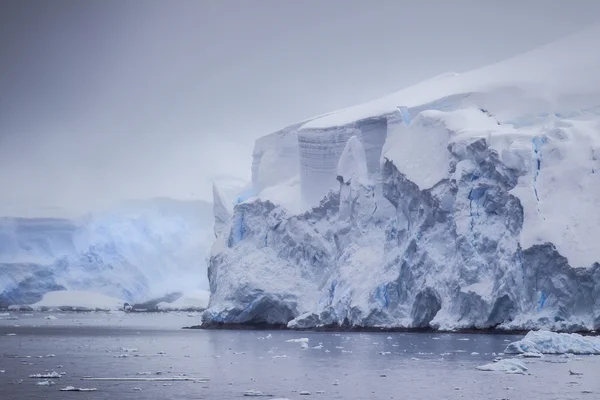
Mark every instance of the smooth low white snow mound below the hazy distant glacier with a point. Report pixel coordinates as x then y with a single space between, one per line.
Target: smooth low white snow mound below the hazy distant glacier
79 299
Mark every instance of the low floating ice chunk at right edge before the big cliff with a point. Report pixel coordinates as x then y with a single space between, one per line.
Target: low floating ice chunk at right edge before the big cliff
545 342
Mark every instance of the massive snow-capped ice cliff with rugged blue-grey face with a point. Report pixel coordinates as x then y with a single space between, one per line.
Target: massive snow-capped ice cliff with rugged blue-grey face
466 201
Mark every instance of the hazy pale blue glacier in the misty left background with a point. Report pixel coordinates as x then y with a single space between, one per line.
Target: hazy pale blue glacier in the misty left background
135 251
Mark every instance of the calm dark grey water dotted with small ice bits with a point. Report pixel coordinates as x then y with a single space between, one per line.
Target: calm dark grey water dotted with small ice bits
366 365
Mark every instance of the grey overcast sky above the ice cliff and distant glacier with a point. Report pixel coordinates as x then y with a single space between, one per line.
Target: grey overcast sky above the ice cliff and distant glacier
109 100
